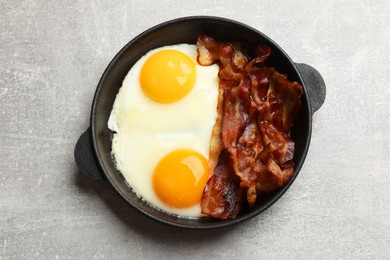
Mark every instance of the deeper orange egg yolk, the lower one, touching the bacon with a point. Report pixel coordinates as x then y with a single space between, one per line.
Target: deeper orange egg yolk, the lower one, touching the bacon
180 177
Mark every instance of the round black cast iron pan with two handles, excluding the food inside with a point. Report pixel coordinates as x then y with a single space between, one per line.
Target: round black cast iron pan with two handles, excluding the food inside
93 149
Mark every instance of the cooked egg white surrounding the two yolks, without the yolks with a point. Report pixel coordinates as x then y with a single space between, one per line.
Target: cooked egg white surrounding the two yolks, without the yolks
147 130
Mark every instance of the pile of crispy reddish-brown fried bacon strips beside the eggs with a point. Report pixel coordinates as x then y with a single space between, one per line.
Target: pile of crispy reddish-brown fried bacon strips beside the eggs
251 151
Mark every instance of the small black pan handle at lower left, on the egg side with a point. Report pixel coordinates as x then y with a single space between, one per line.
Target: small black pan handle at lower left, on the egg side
85 156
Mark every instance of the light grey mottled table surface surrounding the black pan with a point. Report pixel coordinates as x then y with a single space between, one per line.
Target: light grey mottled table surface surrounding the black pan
52 54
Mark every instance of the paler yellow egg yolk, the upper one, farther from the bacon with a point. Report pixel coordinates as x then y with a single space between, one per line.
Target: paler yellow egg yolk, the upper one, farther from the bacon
167 76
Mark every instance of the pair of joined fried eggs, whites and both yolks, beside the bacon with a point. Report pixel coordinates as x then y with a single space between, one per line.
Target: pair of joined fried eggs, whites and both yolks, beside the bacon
163 117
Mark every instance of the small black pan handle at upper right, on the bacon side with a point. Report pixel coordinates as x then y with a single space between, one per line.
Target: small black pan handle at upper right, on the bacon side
315 85
